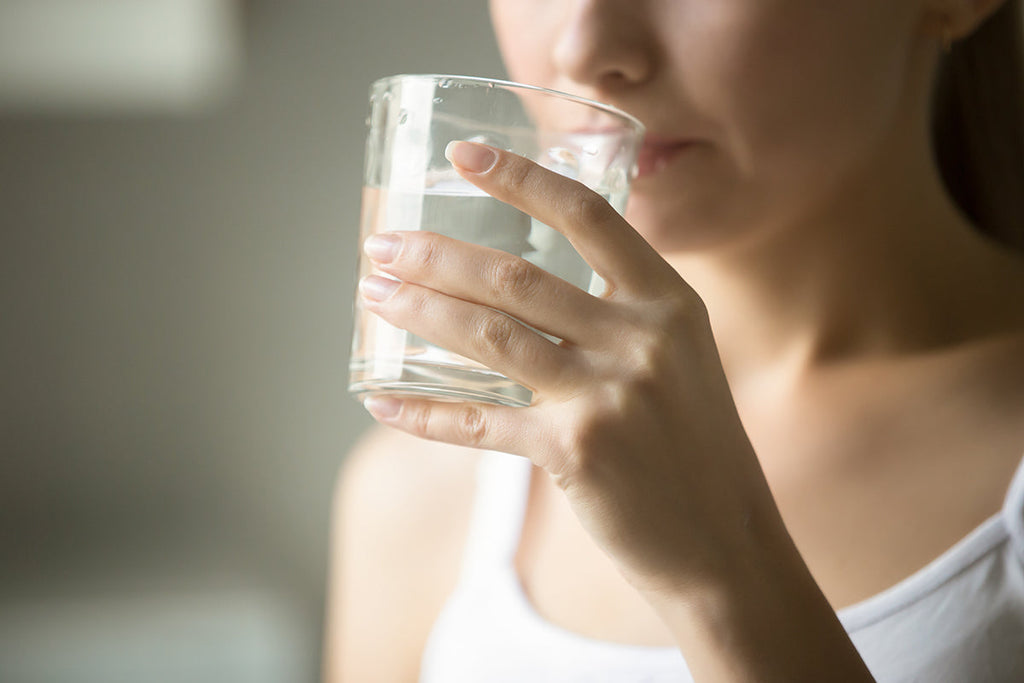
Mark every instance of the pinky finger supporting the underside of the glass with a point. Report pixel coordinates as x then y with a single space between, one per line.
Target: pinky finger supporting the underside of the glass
475 425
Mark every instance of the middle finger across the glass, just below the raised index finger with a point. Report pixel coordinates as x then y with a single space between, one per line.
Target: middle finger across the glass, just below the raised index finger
491 278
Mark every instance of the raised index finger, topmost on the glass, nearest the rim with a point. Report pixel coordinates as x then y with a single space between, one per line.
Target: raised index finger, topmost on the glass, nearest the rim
602 237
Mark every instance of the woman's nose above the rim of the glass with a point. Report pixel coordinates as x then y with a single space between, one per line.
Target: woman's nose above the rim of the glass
606 45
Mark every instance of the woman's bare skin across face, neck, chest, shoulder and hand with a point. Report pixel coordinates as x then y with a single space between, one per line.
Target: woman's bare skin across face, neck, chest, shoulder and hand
807 217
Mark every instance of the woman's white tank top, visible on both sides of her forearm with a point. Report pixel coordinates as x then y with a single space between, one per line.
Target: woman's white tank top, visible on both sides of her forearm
959 619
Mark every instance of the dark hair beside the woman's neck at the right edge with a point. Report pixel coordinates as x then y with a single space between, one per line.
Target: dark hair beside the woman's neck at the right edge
978 124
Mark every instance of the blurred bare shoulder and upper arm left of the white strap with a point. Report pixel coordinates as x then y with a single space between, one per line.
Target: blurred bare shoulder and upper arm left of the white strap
400 522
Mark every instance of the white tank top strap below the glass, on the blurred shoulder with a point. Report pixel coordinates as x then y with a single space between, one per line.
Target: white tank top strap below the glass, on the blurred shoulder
499 508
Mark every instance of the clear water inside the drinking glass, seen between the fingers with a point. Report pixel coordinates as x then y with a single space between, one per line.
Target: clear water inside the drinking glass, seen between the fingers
387 360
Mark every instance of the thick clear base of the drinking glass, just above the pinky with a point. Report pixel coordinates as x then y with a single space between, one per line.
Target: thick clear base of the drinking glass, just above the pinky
438 382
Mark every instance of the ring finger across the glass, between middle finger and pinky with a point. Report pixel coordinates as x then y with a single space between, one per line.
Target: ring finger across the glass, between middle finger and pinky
474 331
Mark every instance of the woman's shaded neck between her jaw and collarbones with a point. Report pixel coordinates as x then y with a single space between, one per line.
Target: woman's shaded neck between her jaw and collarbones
889 268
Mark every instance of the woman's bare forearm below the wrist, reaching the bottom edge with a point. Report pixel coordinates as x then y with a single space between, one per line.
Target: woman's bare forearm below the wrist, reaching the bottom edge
763 620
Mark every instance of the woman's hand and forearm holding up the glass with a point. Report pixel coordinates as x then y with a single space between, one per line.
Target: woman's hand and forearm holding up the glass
633 419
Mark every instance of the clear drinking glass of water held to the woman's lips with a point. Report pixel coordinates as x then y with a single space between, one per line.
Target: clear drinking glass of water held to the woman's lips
410 186
